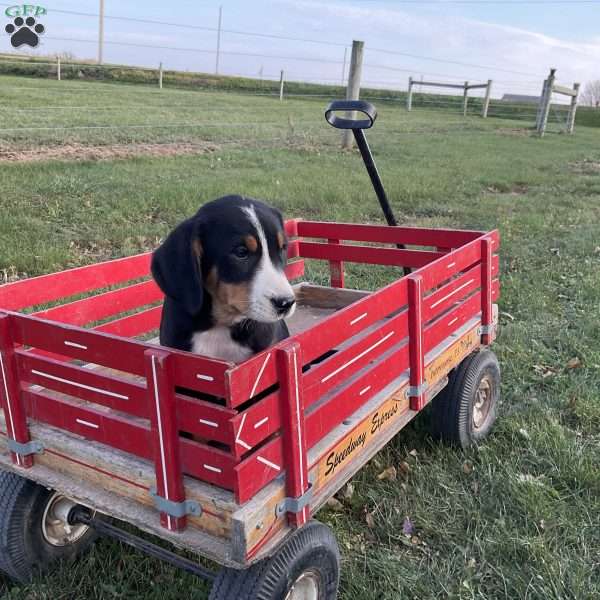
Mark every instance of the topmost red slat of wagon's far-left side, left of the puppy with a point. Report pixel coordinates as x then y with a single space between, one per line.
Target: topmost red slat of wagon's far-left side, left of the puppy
54 286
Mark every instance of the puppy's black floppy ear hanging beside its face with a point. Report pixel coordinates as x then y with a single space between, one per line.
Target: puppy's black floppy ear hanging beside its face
176 266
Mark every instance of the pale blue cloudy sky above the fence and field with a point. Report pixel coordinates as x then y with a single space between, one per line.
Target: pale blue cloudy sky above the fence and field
511 42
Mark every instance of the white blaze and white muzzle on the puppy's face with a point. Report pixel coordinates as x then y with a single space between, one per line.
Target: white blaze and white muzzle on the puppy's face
269 282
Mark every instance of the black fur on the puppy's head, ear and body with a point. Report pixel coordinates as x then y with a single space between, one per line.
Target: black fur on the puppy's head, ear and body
220 226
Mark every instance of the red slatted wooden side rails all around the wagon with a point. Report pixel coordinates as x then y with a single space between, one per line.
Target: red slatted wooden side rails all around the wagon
242 441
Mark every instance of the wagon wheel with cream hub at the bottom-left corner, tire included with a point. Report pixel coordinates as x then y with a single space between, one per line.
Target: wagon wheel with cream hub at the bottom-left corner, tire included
34 528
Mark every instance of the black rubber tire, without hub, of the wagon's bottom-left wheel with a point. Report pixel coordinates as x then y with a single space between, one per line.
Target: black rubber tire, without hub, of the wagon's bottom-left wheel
23 548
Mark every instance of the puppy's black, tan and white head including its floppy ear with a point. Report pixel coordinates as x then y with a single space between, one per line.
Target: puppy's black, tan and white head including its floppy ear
235 249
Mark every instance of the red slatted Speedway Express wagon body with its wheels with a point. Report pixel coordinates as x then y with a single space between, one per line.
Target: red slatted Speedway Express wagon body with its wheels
231 461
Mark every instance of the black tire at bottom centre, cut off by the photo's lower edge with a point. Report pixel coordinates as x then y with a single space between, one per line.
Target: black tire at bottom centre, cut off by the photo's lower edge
313 547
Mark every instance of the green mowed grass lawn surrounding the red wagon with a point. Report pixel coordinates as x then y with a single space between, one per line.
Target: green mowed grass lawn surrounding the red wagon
517 517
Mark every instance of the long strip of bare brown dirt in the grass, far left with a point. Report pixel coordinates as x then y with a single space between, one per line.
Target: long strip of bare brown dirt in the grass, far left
74 151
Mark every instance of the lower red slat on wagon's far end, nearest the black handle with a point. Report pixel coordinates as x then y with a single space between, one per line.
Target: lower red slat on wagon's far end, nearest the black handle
368 254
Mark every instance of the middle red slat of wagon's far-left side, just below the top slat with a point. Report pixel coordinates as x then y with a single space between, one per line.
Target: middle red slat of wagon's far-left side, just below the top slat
104 305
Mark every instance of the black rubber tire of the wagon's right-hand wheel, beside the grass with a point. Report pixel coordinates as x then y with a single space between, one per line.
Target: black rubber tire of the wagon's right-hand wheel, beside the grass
452 408
